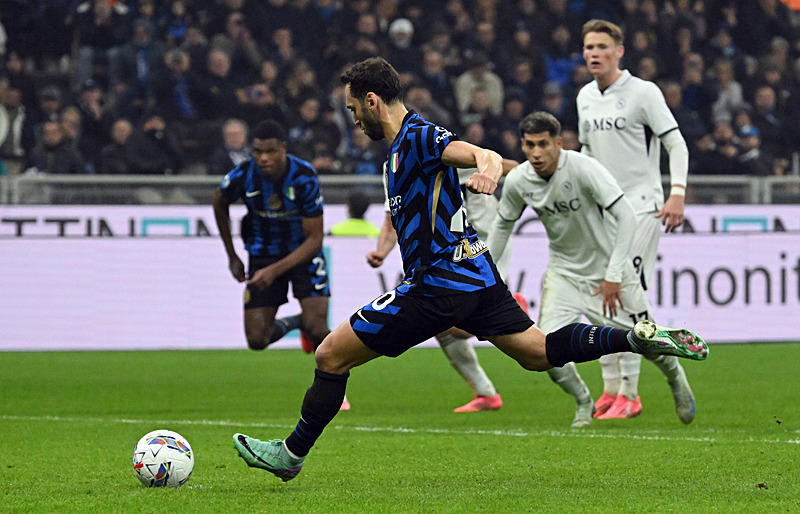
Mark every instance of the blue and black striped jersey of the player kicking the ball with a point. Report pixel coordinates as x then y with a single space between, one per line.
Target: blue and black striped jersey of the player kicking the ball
441 252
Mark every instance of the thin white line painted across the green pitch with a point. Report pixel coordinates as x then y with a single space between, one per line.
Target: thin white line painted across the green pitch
582 434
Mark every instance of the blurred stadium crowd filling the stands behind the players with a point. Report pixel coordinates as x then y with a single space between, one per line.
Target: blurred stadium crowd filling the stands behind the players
170 86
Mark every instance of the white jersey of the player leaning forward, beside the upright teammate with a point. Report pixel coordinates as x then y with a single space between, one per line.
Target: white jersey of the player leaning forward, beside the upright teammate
570 207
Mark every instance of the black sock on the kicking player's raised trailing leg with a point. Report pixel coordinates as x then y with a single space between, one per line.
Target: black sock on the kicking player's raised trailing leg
580 342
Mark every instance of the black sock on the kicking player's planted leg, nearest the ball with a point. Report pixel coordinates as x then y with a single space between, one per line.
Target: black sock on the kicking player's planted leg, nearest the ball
320 405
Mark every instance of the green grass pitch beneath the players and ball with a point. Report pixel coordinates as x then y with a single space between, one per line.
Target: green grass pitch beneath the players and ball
69 422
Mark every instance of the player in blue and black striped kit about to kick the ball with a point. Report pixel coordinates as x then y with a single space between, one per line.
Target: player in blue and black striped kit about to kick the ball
450 278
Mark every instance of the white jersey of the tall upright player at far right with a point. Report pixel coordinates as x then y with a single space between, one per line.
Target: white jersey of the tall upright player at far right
622 126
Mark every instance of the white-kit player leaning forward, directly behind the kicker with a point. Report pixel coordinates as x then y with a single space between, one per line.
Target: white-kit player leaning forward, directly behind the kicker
589 272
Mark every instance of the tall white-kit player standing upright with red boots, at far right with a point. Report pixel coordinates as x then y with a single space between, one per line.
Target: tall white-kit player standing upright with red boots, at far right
623 120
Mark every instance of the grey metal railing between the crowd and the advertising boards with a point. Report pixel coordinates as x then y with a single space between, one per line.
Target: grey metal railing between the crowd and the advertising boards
40 189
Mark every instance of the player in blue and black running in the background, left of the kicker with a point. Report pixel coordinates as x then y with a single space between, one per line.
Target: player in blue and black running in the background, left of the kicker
283 233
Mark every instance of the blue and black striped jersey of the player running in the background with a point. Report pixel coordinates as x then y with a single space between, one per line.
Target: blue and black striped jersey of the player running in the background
275 209
